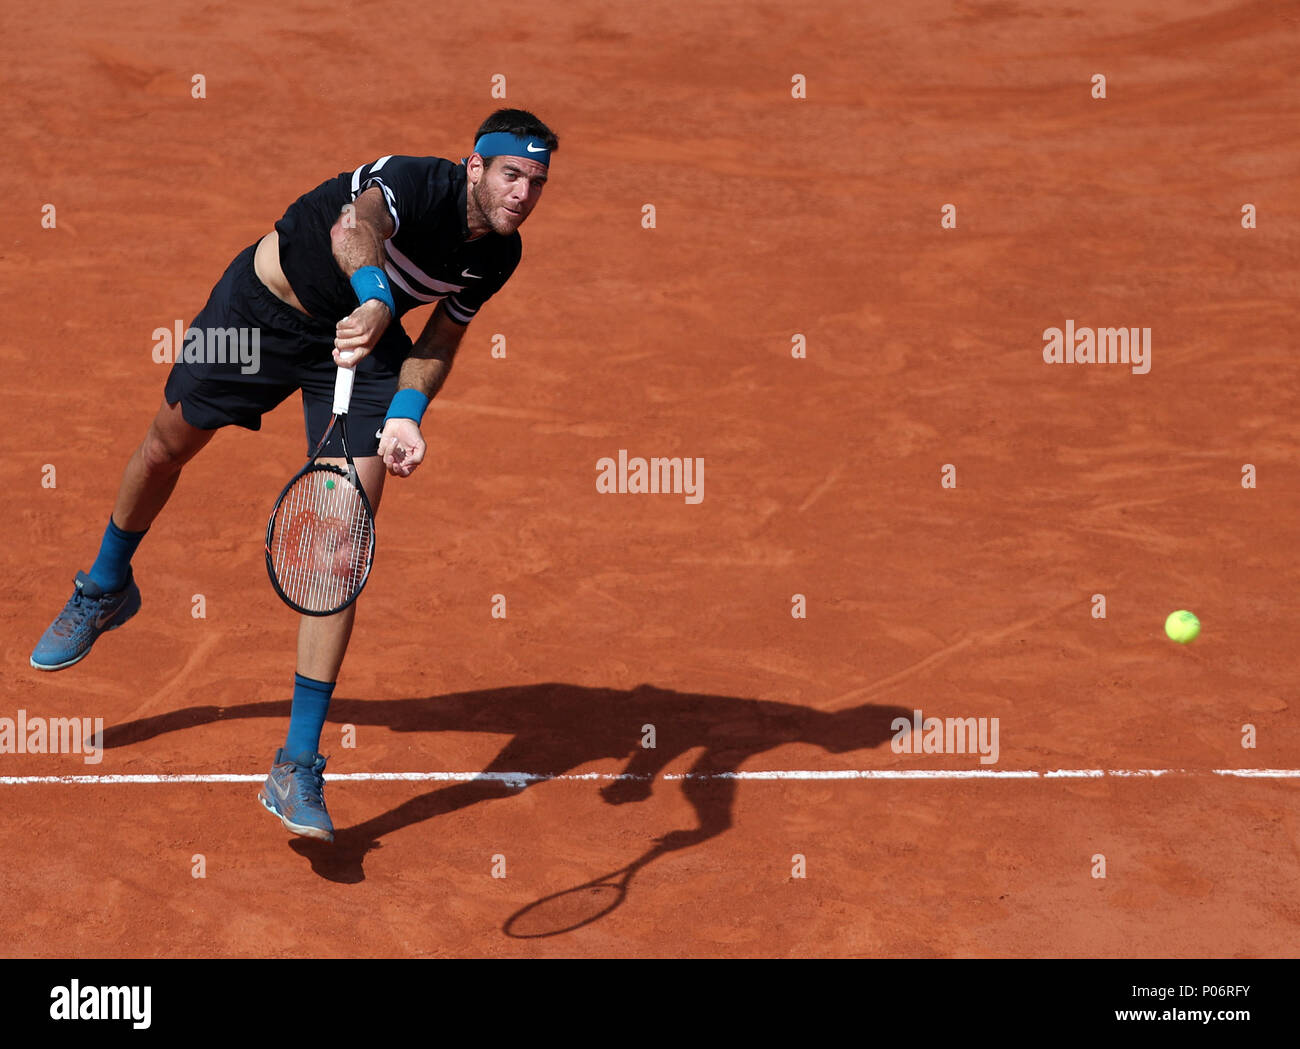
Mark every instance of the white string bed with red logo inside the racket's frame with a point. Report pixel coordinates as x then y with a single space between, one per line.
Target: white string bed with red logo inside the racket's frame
322 541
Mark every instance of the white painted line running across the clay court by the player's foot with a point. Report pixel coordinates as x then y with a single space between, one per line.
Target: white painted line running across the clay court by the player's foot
526 778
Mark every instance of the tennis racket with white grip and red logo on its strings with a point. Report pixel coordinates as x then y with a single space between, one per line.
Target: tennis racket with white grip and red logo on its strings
320 539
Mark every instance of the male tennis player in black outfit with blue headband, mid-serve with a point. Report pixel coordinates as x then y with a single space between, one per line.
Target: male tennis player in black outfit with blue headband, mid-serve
336 275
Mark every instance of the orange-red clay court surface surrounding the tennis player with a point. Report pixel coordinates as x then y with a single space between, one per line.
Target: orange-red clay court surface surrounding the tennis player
775 216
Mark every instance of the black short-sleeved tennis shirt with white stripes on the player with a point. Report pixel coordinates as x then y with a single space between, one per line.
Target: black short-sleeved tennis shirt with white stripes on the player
428 257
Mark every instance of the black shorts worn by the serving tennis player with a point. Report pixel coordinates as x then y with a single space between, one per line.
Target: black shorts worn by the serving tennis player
280 350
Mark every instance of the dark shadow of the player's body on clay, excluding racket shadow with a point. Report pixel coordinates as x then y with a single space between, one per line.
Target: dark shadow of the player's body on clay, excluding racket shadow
556 729
